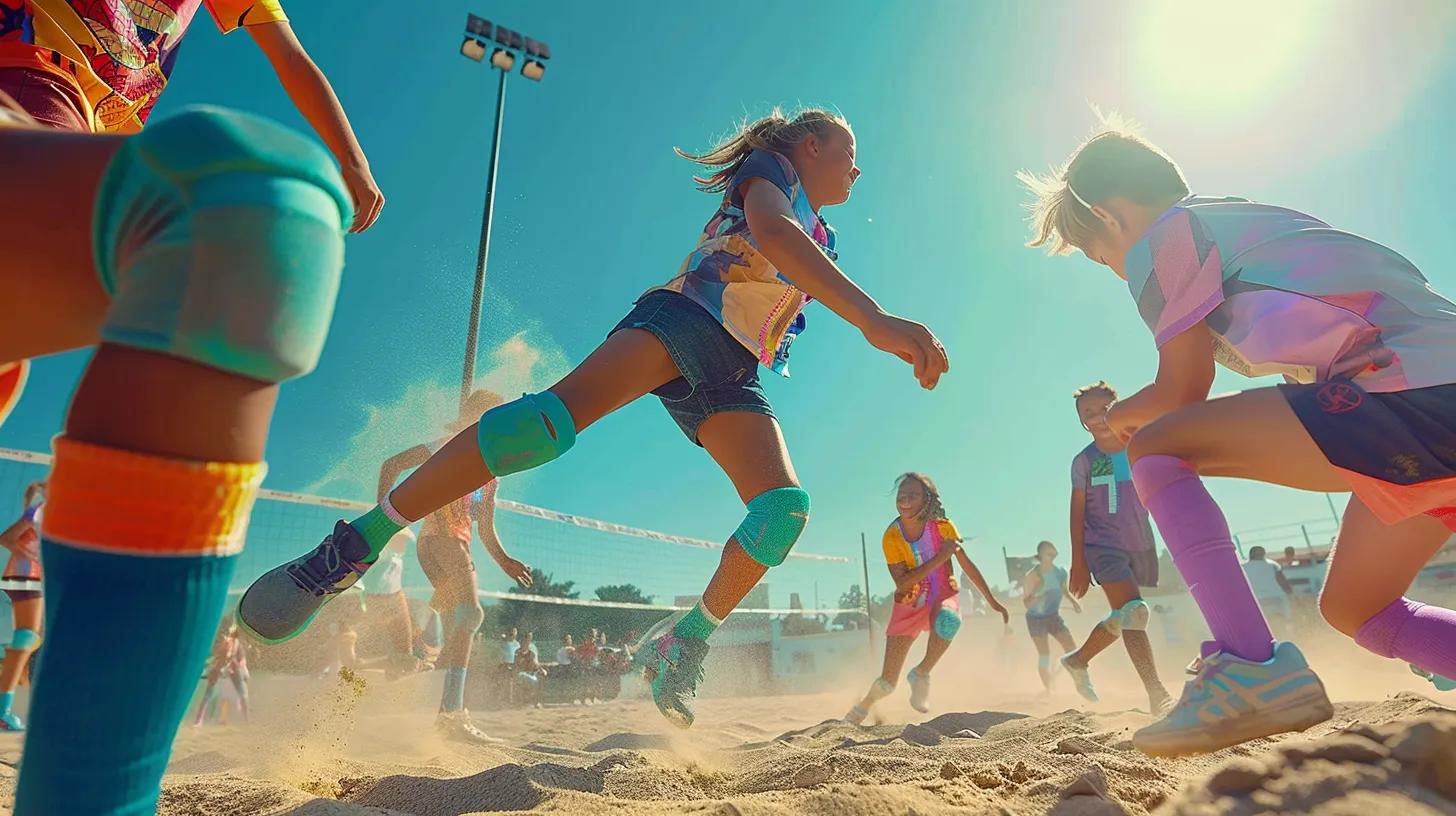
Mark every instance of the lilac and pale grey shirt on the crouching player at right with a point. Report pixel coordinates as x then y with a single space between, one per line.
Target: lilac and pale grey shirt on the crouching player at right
1285 294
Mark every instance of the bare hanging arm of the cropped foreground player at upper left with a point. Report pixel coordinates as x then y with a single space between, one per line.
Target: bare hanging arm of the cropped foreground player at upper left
312 94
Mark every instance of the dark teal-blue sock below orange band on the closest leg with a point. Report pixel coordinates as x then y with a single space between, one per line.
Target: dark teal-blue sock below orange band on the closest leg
155 619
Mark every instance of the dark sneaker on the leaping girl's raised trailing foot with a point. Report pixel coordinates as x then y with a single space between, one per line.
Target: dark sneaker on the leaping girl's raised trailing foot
282 604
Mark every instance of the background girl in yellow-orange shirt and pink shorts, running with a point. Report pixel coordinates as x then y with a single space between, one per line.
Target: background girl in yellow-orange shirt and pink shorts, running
919 546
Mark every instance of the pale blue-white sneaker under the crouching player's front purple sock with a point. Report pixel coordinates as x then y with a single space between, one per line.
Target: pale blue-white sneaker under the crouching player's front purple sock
1231 702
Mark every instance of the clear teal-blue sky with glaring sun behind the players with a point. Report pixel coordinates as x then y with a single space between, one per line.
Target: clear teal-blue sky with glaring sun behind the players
949 101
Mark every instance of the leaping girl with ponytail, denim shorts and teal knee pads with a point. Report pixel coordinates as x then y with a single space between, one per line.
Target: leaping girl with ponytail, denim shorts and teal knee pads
695 343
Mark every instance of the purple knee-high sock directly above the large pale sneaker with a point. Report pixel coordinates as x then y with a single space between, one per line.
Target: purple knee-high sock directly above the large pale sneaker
1199 540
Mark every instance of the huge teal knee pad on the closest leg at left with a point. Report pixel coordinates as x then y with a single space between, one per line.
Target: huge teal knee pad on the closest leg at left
221 240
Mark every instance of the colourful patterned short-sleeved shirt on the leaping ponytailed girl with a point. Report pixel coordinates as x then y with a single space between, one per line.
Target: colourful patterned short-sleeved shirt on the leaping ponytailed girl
729 276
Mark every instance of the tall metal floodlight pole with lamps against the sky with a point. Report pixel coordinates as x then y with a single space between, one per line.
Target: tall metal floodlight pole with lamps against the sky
503 58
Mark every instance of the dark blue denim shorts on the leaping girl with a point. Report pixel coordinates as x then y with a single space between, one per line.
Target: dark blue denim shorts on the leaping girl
719 374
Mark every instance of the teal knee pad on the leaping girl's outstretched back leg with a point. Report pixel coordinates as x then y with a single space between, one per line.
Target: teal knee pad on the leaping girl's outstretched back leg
525 433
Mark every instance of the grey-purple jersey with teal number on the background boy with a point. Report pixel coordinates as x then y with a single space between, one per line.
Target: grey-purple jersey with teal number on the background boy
1113 515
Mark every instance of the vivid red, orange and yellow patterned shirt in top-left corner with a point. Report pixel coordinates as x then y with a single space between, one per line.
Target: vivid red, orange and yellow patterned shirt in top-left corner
124 49
